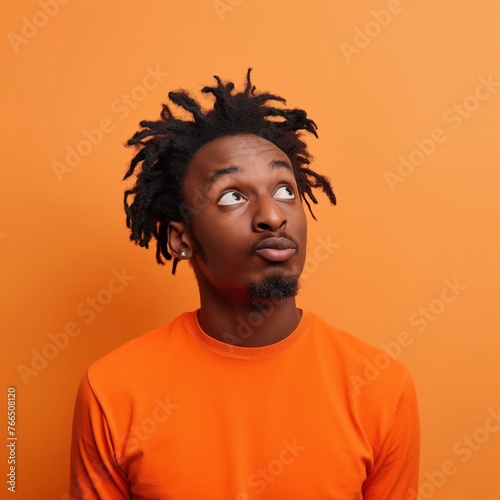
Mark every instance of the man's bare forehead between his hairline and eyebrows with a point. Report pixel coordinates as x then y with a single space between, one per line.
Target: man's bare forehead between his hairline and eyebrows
241 150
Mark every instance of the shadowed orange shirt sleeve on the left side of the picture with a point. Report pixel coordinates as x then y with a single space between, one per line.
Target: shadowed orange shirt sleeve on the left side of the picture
94 471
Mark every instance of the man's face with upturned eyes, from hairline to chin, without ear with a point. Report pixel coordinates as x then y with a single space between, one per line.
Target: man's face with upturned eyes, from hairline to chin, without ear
247 225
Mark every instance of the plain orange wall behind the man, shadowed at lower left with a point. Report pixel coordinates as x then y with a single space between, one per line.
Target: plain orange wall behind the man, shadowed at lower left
63 237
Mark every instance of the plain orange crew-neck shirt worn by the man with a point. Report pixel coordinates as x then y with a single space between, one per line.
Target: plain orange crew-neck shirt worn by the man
176 414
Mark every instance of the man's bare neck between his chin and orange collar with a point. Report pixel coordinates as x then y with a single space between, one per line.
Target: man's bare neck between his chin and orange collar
251 323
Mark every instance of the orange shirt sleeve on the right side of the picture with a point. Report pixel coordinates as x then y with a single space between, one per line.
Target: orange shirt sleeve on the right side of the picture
396 465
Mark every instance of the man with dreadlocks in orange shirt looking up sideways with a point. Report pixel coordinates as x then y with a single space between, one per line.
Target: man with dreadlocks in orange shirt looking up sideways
249 396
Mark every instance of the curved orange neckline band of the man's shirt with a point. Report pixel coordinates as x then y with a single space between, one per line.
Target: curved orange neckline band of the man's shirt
247 352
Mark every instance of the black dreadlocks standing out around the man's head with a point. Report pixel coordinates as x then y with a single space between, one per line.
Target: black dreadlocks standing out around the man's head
166 146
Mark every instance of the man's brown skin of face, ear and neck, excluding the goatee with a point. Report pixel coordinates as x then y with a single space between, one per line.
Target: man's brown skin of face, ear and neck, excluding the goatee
247 224
